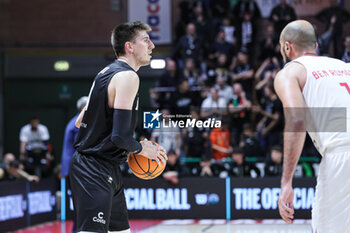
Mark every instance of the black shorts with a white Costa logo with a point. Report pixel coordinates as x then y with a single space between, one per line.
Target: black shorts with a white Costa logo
98 195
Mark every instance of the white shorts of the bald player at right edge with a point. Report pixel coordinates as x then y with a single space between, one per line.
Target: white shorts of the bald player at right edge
331 207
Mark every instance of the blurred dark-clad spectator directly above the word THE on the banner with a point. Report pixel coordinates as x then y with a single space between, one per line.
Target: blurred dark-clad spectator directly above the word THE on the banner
239 167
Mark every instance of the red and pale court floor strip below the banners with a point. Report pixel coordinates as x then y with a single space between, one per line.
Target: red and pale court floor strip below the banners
190 226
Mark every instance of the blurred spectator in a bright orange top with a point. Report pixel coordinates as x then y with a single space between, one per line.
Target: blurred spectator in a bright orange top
220 141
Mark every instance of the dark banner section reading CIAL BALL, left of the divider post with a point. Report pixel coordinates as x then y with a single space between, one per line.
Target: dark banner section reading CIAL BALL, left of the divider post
192 198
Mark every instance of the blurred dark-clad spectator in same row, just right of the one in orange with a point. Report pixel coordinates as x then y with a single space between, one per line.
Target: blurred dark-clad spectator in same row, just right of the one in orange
249 142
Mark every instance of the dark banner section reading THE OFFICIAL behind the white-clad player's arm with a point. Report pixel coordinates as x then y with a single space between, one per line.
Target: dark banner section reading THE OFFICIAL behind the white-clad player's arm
257 198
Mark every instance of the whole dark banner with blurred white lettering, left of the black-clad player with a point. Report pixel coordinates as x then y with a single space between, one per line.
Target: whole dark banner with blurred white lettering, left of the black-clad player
24 203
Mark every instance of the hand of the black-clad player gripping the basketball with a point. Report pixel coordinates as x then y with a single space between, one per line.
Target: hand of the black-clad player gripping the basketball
155 152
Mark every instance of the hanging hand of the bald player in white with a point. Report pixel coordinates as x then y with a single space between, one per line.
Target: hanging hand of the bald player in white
285 203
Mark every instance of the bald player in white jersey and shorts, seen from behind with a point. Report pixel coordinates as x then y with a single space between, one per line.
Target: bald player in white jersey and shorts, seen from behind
305 83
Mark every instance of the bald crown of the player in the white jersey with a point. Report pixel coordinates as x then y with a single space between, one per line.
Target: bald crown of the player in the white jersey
300 33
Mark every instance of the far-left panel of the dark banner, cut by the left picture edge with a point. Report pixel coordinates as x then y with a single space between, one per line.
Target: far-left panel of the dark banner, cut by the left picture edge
13 205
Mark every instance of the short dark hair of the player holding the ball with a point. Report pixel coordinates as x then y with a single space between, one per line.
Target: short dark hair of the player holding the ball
126 32
